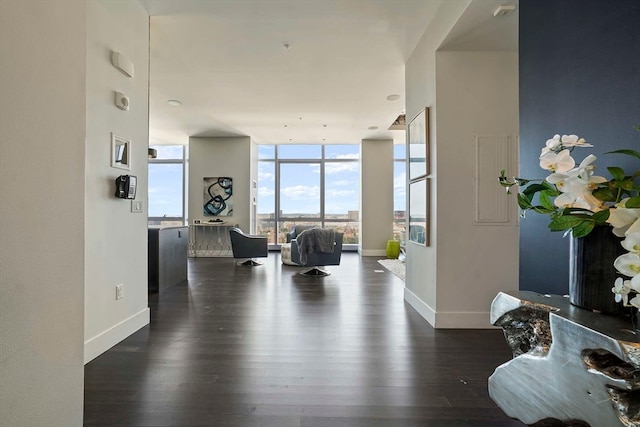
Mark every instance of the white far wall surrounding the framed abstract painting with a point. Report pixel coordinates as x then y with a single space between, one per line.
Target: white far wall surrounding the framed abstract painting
215 157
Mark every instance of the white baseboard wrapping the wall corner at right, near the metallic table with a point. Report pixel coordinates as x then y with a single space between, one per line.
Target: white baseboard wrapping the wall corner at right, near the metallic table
449 319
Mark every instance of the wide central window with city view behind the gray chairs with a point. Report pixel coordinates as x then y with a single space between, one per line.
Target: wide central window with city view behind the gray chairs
310 185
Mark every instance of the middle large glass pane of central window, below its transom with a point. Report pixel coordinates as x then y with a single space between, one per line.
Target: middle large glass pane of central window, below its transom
300 190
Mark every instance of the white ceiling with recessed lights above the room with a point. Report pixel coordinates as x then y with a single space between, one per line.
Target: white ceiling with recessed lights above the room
226 62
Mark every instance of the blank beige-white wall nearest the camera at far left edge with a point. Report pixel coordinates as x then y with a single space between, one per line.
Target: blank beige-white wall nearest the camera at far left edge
42 136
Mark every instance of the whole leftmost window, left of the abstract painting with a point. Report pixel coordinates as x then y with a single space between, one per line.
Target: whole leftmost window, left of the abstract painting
167 186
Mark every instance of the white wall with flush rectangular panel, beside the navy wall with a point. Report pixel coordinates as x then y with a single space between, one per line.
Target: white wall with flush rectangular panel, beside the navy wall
477 97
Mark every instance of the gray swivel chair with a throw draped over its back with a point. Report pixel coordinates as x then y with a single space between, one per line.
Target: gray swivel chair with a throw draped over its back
315 258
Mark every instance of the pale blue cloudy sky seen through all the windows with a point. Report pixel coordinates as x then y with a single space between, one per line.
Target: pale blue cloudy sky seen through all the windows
300 189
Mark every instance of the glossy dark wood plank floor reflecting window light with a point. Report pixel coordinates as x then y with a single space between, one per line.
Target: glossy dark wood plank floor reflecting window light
262 346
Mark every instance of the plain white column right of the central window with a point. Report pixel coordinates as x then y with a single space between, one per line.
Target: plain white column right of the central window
376 196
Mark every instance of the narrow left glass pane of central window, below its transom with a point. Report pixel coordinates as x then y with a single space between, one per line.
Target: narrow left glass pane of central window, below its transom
266 197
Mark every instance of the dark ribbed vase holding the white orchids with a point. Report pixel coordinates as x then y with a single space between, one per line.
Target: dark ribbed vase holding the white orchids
592 274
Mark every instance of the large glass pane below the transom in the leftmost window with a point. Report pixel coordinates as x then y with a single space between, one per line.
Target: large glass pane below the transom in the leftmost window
165 190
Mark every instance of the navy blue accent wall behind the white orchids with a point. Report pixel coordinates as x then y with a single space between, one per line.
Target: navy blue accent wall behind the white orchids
580 74
